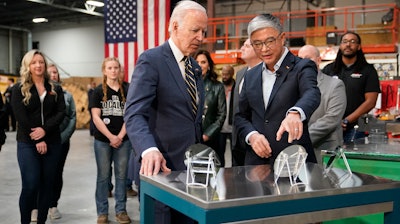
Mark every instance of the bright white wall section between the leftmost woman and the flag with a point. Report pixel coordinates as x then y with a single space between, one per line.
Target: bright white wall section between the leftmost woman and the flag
78 51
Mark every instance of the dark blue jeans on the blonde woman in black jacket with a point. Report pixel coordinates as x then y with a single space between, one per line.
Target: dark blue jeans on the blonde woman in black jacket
37 173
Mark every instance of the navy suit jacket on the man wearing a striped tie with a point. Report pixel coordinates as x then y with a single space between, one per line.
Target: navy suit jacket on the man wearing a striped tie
158 107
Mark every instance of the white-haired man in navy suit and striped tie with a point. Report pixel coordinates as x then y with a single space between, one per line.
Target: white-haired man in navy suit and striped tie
162 118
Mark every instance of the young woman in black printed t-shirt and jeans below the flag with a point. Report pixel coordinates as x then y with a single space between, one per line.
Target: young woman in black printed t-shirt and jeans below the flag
111 144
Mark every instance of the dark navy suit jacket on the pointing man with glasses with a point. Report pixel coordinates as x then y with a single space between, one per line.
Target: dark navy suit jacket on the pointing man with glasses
295 85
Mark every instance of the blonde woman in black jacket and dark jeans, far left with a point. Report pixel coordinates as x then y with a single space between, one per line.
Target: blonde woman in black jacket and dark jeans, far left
40 109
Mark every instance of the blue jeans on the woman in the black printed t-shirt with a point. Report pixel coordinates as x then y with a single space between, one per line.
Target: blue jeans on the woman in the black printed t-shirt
105 155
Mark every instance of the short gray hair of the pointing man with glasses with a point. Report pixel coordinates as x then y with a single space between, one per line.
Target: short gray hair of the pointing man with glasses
264 21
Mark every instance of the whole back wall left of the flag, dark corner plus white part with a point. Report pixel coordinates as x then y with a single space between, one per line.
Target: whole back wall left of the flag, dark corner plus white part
77 50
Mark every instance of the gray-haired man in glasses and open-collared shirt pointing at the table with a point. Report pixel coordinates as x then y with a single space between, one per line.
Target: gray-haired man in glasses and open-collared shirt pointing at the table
278 96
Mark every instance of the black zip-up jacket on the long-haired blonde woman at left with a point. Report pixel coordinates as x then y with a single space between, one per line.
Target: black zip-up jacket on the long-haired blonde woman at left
30 116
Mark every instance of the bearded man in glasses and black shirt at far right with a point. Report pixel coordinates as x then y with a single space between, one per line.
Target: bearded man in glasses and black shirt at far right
361 82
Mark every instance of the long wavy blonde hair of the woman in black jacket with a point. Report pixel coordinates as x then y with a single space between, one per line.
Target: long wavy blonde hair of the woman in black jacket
26 75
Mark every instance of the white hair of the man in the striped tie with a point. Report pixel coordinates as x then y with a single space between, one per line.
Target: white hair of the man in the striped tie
180 9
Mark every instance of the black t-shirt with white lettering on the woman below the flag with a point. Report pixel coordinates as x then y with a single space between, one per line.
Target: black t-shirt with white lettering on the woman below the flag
112 111
